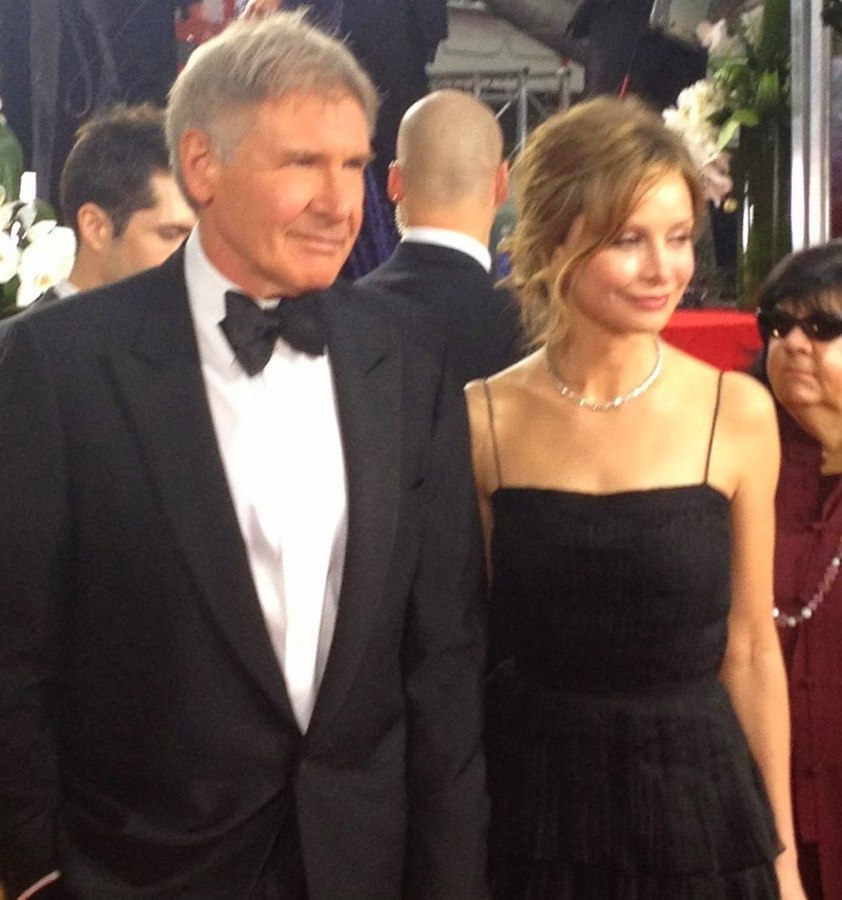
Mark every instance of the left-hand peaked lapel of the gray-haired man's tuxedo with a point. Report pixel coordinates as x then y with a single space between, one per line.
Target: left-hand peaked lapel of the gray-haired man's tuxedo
160 380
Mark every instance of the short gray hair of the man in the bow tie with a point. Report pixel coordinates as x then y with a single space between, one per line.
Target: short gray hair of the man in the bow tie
256 60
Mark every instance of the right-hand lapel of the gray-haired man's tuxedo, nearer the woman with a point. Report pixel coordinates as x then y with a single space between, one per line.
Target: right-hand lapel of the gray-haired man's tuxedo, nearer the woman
366 363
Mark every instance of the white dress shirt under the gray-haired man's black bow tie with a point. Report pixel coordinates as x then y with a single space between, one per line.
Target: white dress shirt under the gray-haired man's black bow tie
279 438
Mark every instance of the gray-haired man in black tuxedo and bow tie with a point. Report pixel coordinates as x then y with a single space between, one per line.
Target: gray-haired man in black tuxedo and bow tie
242 640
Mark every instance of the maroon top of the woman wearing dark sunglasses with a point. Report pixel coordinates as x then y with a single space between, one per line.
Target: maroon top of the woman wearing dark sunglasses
809 528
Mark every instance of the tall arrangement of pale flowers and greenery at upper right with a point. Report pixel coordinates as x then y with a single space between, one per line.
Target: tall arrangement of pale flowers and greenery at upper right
736 124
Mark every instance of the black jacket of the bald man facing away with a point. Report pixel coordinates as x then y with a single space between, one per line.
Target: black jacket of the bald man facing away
448 296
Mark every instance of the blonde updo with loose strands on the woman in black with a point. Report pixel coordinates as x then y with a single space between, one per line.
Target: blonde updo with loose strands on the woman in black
589 164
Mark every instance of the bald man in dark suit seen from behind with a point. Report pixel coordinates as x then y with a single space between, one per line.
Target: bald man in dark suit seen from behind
449 180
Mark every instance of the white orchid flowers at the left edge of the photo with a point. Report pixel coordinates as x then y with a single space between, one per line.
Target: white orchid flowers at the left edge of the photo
35 252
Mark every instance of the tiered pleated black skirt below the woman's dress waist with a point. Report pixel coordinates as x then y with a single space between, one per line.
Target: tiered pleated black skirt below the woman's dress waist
624 797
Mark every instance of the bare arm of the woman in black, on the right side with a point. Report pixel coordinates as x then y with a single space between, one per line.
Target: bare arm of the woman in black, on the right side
753 669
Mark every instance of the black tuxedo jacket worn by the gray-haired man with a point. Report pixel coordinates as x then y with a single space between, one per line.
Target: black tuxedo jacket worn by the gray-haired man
147 744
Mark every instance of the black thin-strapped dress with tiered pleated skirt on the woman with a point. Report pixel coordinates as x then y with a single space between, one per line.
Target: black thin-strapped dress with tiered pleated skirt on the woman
617 766
